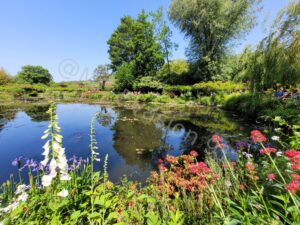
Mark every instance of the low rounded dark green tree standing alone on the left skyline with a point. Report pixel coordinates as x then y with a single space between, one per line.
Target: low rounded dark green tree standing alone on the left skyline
34 75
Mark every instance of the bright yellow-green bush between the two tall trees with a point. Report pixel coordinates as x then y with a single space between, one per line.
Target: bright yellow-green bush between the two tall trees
174 73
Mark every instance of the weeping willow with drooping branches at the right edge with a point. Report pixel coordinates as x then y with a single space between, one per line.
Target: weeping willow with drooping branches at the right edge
276 59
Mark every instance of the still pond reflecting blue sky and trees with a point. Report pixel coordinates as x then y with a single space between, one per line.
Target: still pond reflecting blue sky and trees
134 136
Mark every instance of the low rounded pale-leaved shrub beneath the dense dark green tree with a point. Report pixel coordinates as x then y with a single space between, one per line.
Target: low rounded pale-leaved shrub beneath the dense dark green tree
148 84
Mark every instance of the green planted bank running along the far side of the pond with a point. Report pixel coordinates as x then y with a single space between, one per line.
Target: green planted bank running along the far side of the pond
230 96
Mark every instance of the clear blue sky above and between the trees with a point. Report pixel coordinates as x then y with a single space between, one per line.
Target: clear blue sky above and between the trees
68 37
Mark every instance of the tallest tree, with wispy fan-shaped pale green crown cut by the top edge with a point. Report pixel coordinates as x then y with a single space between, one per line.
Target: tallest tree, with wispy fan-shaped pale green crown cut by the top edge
211 26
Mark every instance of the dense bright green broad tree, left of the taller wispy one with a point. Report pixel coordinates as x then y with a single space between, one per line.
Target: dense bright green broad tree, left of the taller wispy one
134 42
